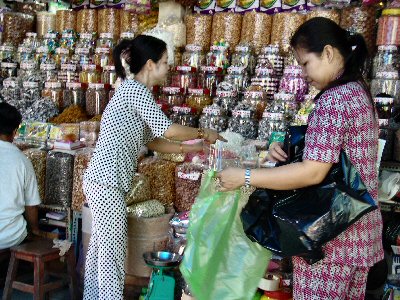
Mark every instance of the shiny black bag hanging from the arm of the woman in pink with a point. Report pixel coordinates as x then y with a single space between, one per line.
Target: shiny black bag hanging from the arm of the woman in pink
299 222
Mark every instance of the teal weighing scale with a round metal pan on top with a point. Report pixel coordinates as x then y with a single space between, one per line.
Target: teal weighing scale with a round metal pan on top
162 282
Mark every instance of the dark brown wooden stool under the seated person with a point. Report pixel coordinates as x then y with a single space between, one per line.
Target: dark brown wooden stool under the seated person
38 253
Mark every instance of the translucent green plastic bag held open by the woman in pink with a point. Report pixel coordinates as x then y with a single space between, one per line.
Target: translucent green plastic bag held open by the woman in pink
220 262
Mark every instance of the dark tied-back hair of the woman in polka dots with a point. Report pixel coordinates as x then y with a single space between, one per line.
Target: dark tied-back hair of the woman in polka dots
137 52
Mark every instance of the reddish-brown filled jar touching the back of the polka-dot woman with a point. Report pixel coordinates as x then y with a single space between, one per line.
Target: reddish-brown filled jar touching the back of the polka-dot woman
96 99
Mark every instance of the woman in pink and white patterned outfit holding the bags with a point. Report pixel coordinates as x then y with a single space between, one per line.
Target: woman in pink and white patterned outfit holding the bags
344 118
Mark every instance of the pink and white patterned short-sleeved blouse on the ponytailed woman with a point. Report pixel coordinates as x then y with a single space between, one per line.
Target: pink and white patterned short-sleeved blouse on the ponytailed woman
343 118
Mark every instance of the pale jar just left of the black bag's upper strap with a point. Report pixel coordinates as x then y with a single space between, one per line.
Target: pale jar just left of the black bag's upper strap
271 122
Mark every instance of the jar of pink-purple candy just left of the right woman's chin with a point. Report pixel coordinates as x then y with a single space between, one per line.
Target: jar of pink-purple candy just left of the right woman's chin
294 83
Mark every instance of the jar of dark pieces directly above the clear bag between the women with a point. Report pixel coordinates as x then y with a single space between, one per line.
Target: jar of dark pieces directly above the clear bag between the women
243 122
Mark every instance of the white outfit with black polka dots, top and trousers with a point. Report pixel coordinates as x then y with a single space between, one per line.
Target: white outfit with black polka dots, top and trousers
130 121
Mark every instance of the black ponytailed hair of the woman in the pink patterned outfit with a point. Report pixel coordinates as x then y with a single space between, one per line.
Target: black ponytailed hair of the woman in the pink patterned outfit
319 32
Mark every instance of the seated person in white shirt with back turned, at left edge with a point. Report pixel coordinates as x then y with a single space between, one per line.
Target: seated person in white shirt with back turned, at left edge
18 186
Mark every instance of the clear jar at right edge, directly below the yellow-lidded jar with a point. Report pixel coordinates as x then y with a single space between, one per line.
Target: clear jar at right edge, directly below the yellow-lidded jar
386 59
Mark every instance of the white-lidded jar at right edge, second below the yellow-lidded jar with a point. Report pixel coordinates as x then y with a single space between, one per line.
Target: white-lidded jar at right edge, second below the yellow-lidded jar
388 83
